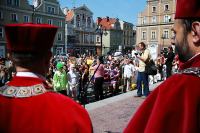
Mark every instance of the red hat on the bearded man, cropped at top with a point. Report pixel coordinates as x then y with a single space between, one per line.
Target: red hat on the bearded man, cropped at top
187 9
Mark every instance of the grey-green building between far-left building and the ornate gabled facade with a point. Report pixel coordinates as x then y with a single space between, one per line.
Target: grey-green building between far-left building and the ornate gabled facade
49 12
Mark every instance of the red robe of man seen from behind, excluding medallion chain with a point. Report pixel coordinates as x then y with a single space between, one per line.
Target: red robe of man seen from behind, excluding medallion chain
49 112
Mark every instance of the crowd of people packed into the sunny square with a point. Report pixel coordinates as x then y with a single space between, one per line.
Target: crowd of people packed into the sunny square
71 75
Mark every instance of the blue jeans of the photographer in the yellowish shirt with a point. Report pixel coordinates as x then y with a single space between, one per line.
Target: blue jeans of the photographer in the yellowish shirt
142 78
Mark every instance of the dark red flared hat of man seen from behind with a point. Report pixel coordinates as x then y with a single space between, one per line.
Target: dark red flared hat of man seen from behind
29 37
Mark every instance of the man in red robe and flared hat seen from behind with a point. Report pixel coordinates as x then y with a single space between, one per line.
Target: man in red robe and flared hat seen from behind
27 103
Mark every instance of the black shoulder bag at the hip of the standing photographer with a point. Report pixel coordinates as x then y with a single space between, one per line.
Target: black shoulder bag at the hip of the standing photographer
150 68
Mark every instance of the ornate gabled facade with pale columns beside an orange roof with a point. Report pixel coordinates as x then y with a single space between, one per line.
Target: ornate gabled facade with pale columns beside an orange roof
80 31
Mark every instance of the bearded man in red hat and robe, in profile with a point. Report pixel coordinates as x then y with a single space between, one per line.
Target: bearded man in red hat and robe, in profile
174 106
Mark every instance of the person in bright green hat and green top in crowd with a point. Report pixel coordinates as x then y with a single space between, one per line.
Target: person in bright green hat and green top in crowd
60 79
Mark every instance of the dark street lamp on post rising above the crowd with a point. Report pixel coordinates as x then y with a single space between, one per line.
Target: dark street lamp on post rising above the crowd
101 31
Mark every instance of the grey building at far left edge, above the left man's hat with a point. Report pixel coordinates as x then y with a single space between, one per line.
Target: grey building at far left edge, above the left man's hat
12 11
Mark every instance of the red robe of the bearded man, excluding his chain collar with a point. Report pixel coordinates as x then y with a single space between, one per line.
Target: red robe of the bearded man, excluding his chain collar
173 107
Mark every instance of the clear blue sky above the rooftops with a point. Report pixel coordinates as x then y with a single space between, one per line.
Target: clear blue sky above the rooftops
125 10
